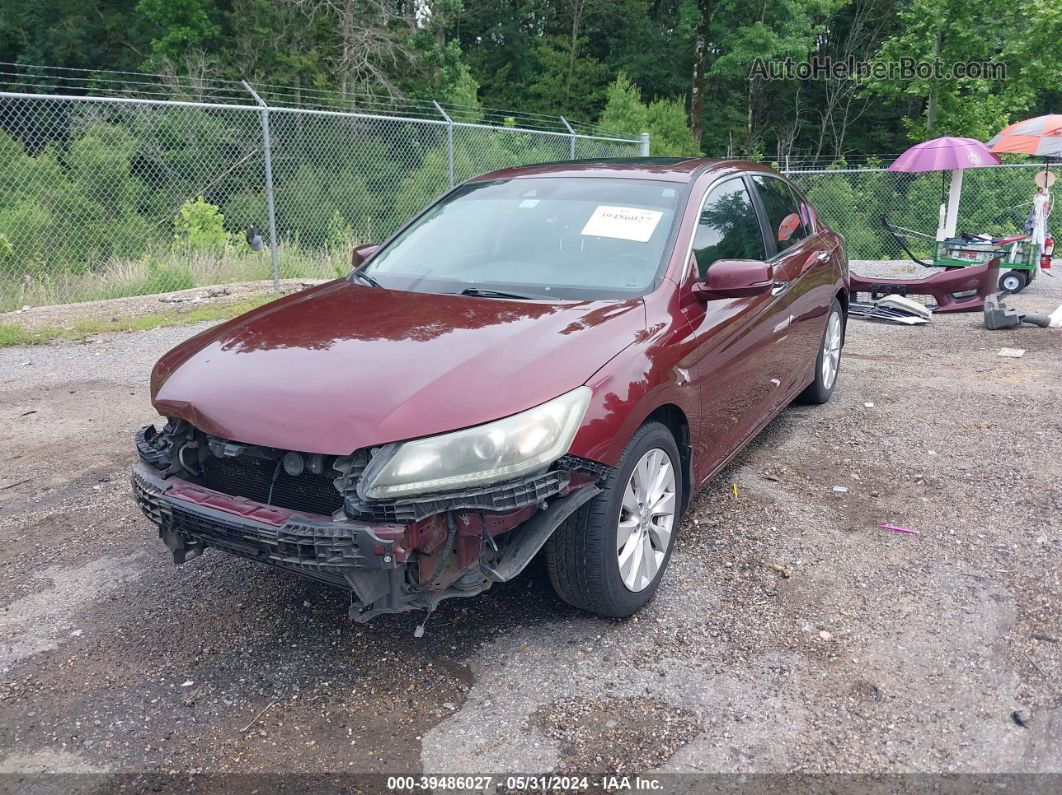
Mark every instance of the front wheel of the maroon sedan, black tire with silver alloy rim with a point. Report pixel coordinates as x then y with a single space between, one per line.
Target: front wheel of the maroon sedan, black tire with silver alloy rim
584 555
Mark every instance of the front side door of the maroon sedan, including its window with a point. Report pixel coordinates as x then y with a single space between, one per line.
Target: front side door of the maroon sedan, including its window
739 360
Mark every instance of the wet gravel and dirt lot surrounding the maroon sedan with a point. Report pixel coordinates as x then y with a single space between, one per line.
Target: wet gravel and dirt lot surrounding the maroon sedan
792 634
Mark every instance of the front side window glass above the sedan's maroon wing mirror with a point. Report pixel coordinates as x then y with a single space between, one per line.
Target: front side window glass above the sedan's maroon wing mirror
729 228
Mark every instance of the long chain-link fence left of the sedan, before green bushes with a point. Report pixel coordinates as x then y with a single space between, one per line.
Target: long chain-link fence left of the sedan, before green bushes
108 197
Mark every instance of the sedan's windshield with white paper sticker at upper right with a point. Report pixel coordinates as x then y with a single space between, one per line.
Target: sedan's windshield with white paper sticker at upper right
538 238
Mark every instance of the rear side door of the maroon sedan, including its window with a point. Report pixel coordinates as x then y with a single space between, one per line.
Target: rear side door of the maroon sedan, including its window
803 271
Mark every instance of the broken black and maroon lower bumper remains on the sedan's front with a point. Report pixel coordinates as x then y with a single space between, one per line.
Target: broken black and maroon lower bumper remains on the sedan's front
390 567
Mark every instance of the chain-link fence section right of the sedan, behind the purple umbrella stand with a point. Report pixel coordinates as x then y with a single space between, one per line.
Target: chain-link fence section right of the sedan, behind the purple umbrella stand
996 201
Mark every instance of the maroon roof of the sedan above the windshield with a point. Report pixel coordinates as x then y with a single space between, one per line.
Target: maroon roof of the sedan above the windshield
672 169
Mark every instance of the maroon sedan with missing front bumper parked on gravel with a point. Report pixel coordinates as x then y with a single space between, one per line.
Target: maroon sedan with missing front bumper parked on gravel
554 357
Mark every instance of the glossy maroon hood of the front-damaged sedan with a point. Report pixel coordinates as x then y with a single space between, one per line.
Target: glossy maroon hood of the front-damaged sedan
342 367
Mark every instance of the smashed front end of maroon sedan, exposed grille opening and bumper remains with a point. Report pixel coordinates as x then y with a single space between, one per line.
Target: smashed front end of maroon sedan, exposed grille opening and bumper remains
321 517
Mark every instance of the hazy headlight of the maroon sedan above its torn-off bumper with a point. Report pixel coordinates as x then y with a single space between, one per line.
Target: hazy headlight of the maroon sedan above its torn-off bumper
487 454
